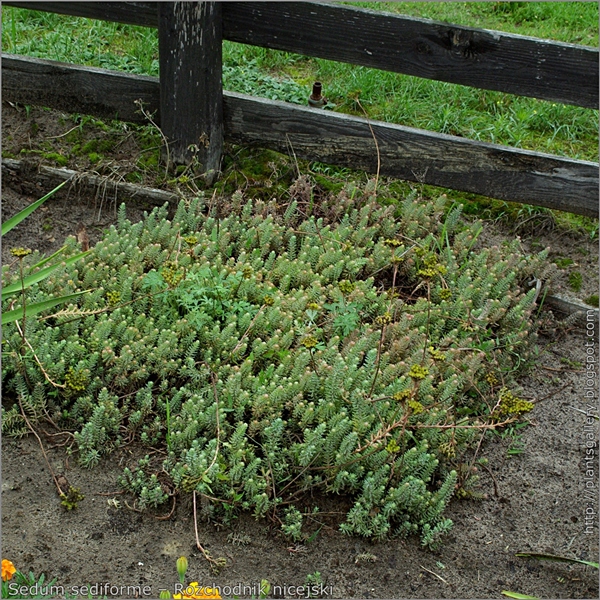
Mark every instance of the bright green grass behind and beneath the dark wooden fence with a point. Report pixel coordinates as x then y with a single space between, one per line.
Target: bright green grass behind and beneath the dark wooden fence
437 106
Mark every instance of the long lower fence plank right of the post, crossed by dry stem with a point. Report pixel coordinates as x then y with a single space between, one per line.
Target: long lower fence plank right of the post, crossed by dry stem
416 155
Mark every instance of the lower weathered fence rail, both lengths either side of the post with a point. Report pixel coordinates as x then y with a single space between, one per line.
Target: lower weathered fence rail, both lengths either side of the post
407 153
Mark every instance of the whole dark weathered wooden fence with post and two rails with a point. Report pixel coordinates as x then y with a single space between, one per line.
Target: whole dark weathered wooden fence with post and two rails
196 115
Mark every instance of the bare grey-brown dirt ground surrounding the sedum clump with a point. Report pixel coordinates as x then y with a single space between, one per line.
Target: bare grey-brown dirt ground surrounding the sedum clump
536 485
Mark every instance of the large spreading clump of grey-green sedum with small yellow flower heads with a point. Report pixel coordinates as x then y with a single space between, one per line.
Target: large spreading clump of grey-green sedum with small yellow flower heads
358 351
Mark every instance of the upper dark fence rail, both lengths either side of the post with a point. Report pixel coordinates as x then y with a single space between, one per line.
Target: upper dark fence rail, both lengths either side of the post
479 58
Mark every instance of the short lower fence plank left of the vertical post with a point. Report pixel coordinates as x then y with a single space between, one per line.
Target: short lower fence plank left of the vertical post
105 94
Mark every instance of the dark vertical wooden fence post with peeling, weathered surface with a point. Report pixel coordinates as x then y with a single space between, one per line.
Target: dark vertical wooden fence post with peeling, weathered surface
191 91
